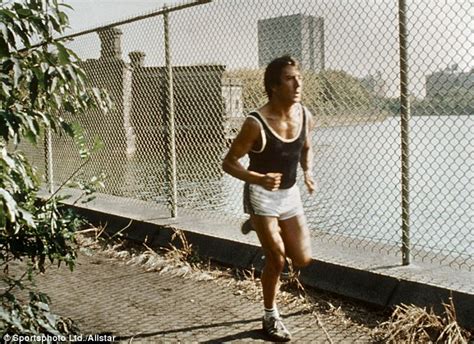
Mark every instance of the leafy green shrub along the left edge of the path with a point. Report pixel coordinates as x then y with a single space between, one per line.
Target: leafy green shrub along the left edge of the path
40 81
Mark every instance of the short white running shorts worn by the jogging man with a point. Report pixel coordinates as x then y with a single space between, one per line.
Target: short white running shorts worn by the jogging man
281 203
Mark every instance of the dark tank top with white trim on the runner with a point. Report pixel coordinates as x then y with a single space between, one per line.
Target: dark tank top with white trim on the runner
278 155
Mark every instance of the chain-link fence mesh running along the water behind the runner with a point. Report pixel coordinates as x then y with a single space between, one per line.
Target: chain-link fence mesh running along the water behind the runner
183 78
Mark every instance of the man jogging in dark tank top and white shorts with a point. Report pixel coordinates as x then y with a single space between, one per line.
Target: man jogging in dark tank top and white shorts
276 138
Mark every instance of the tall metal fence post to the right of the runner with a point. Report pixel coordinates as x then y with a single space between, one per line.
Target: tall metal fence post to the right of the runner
405 139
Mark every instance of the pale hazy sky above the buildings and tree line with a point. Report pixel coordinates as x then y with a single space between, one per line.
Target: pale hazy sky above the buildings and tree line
360 35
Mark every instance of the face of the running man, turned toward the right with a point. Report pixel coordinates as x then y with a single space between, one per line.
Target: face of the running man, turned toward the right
290 87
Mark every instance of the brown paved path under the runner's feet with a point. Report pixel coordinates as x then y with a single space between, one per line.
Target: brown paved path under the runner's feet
105 296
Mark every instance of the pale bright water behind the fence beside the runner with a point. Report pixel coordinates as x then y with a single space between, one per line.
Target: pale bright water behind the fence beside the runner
358 171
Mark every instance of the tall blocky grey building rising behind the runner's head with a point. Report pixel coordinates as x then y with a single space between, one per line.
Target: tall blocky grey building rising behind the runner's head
299 35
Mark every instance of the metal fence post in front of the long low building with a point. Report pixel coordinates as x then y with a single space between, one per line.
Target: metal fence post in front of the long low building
171 119
